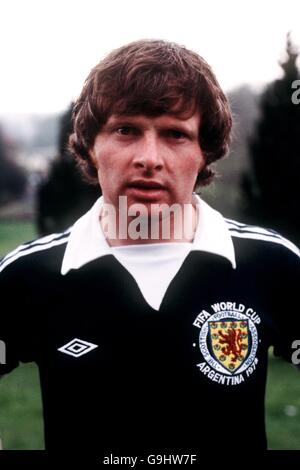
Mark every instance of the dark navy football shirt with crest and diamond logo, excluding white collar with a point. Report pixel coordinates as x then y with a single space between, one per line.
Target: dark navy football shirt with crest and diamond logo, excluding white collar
117 374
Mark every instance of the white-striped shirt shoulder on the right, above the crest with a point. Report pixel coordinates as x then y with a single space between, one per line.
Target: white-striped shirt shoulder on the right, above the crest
260 238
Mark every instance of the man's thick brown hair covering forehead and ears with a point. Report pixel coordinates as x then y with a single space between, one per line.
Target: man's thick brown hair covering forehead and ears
152 77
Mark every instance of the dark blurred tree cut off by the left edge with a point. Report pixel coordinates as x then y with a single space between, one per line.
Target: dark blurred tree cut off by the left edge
12 177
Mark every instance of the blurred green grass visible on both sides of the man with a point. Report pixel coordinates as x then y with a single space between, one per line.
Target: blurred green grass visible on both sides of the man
20 402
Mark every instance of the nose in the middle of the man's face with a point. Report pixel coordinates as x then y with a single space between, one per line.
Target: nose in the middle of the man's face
149 154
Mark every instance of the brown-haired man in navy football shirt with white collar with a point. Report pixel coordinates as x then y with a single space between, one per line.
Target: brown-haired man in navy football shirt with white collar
151 318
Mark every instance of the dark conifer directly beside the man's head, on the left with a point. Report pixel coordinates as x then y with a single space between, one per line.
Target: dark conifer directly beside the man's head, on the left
64 196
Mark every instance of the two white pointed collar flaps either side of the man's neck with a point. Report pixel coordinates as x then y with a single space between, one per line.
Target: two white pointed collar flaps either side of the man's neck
87 241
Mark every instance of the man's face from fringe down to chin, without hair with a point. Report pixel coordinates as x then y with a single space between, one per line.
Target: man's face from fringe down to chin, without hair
151 160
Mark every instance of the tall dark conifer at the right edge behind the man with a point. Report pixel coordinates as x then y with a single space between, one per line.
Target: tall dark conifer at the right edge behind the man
272 189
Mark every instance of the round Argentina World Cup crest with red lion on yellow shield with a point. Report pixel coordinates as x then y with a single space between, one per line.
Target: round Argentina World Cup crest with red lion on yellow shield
228 342
